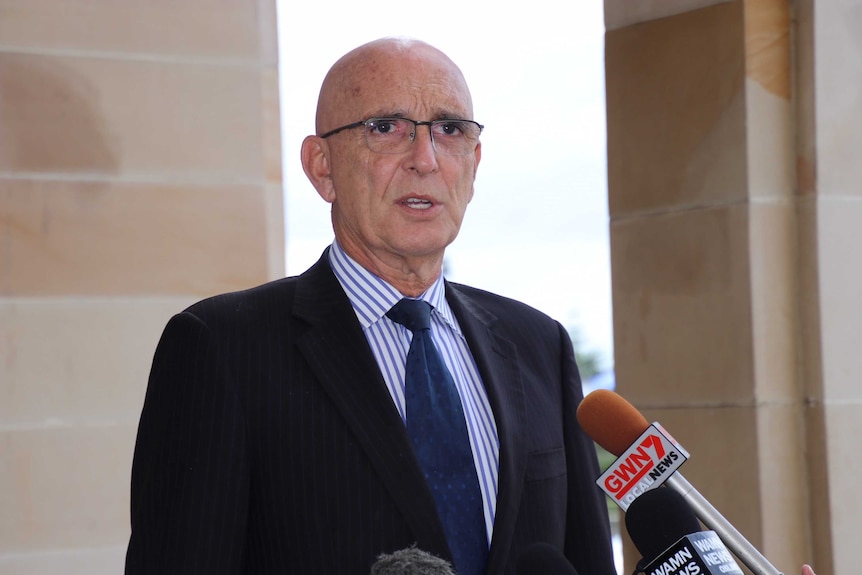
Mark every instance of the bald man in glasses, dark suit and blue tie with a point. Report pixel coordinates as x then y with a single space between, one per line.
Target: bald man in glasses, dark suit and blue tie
275 433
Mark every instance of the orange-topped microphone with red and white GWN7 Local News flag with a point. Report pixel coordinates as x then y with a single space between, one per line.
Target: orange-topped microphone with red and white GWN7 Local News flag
648 457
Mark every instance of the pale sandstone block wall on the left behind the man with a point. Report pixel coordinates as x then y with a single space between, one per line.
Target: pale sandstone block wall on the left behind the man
140 171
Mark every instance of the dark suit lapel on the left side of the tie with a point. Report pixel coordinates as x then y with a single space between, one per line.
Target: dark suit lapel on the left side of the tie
339 355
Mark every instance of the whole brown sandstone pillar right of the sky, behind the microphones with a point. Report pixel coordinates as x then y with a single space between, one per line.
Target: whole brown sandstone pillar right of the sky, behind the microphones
734 195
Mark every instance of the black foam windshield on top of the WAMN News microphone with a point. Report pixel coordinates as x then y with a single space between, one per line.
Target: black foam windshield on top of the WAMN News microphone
657 519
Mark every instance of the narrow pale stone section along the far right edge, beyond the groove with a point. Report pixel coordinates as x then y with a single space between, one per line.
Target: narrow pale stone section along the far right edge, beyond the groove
829 184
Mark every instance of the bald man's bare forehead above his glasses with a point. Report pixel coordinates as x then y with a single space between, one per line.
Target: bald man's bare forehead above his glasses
418 81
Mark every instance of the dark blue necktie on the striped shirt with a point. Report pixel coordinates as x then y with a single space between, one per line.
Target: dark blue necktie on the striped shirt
438 431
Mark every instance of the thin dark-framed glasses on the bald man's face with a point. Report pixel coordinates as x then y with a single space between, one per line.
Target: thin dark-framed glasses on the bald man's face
396 135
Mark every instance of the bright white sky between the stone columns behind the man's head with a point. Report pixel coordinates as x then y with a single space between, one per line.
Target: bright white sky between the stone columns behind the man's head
537 228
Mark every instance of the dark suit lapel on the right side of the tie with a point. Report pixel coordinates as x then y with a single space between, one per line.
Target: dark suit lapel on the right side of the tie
497 360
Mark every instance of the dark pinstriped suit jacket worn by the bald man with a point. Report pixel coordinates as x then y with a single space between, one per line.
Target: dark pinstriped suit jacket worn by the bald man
269 444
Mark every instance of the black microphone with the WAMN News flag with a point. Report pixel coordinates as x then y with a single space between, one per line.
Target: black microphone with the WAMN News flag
664 529
